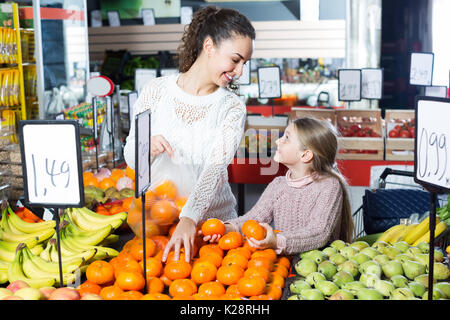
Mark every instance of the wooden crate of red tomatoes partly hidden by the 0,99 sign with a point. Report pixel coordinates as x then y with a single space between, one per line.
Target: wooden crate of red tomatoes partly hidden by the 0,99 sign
398 148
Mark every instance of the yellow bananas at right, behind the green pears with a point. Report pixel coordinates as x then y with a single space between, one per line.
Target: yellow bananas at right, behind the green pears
413 234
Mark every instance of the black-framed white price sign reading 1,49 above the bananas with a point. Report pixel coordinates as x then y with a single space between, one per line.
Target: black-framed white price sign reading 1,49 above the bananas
51 163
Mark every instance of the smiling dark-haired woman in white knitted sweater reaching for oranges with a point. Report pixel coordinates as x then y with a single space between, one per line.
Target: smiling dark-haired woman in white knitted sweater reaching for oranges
197 121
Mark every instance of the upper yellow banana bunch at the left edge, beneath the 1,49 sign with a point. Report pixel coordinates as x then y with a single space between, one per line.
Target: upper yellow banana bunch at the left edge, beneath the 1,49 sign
15 232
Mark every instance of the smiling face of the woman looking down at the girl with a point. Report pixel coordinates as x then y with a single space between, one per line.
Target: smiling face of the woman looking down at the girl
226 61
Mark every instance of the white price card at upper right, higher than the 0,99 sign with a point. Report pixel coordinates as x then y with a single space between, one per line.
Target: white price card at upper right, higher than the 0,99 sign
421 69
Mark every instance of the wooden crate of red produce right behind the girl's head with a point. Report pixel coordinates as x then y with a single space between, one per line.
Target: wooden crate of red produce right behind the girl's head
360 148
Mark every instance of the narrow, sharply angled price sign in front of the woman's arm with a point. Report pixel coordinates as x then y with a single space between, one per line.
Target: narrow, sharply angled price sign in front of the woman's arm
142 152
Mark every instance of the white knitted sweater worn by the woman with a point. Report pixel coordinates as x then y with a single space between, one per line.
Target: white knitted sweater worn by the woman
205 132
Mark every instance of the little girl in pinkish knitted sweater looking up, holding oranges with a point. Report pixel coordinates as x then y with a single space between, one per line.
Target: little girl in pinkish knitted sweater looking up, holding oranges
310 205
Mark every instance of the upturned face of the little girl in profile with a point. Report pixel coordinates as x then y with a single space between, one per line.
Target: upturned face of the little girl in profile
289 150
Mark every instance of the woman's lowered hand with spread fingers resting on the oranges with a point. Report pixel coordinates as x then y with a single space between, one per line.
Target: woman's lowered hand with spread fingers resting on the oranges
184 234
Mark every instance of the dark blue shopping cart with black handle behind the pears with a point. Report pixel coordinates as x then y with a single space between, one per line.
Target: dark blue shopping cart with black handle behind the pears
383 207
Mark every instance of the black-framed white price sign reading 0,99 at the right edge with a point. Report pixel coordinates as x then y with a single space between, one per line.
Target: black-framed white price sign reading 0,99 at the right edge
432 150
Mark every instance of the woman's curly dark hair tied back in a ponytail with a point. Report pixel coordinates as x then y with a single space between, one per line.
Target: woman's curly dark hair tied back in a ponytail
219 24
